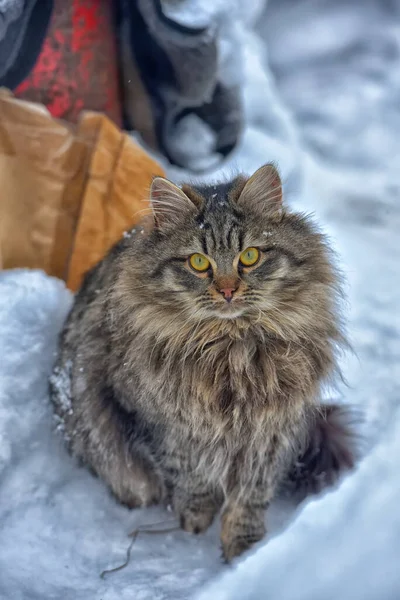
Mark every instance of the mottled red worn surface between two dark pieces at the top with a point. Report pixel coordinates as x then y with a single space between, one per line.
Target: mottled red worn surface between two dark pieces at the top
77 67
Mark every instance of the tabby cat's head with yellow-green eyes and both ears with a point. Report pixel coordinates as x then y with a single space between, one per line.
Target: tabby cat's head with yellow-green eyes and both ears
231 251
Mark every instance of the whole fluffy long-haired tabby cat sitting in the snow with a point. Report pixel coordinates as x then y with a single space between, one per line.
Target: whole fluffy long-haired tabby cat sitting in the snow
191 365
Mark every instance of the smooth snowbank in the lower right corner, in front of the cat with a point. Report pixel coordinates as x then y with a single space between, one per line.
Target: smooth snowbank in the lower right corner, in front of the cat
340 546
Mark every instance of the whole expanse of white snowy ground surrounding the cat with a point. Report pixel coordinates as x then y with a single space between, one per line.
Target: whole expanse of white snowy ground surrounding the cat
326 106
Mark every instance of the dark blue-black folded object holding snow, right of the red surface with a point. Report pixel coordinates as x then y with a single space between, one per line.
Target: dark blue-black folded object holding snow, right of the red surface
176 94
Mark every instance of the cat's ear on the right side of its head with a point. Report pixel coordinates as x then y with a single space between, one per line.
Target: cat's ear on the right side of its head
263 192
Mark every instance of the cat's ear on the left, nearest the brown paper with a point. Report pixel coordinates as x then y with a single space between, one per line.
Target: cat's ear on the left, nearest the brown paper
169 203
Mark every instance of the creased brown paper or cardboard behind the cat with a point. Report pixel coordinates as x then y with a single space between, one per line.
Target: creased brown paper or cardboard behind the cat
68 193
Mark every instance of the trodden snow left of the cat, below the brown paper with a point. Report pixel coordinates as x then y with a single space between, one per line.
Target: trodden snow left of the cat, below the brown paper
59 527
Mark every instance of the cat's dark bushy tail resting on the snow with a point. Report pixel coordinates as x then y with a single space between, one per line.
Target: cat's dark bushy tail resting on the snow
332 448
